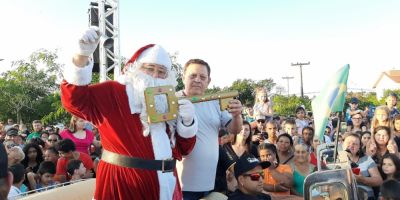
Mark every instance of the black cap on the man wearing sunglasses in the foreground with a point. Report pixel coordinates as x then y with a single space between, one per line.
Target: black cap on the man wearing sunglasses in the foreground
248 162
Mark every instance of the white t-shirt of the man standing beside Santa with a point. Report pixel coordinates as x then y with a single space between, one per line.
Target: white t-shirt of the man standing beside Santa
197 170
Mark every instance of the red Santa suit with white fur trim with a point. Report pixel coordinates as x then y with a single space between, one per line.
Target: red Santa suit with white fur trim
109 106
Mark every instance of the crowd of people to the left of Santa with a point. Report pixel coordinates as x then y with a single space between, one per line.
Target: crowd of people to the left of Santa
44 156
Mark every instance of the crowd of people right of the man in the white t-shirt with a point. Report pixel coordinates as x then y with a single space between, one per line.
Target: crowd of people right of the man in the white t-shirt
371 141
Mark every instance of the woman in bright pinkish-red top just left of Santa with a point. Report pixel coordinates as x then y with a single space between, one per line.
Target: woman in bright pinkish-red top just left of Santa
79 135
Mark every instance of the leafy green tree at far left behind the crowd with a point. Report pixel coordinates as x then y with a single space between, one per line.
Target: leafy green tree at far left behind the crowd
24 88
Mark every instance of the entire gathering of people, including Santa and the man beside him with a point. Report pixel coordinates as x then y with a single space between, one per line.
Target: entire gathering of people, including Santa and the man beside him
249 153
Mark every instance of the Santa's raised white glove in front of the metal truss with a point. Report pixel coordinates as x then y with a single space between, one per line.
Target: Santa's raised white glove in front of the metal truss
89 41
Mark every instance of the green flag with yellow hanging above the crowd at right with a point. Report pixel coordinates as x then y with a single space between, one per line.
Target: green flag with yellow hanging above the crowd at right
330 99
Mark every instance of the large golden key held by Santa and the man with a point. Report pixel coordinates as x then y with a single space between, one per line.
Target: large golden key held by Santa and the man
169 92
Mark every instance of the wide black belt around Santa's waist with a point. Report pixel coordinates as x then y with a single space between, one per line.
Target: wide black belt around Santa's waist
167 165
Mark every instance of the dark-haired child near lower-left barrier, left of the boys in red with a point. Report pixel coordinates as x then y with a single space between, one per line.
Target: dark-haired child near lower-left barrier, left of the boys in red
44 178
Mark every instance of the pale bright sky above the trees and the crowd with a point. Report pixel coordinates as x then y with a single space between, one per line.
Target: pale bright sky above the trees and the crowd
239 39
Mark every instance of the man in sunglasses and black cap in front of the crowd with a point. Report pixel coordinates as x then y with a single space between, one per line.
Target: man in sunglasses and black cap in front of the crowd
249 175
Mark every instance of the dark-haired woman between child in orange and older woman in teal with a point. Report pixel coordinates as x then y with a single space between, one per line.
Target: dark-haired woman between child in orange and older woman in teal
284 146
